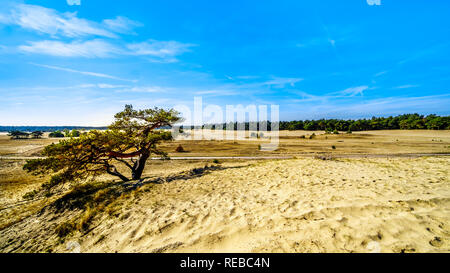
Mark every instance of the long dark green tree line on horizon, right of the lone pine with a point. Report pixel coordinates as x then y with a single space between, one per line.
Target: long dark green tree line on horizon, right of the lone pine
403 122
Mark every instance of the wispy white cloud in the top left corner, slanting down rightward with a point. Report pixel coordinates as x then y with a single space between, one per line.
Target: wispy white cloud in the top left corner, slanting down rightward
52 22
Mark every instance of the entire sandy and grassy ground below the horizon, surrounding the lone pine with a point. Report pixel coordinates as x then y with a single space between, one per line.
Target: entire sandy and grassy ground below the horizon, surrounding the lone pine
386 191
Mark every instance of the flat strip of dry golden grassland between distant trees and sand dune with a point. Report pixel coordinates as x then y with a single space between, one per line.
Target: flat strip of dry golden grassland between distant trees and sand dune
291 143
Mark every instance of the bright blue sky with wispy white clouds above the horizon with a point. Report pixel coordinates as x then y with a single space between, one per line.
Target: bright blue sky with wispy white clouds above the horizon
78 65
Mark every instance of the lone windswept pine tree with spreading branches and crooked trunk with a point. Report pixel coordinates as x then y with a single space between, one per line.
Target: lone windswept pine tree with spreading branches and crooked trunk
129 142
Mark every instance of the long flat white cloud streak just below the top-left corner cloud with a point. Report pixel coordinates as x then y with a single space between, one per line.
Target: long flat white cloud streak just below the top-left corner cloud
87 49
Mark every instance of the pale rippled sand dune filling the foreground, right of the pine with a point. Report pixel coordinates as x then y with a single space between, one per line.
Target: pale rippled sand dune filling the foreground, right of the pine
299 205
